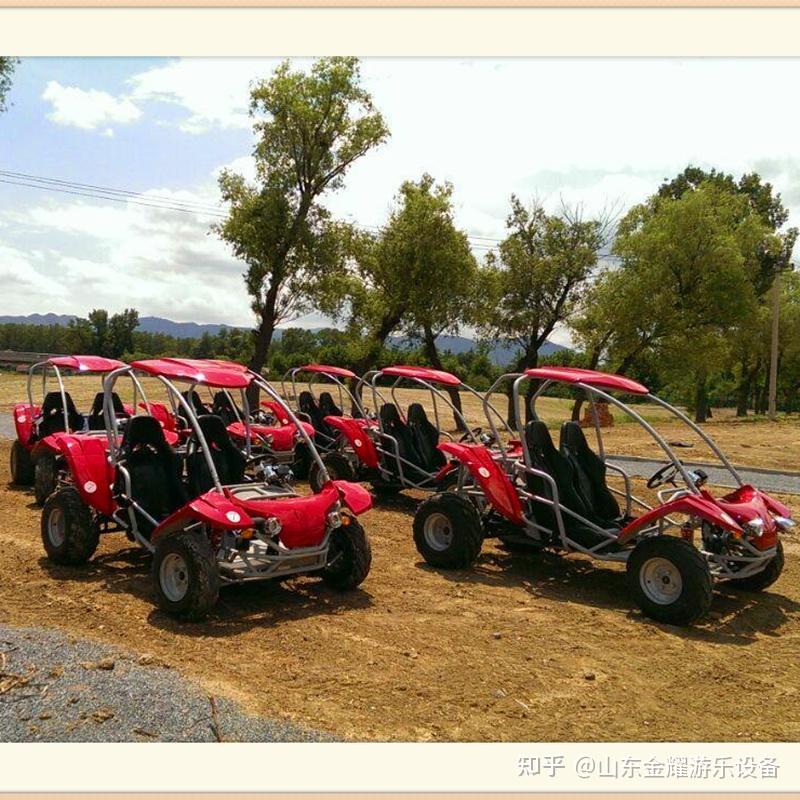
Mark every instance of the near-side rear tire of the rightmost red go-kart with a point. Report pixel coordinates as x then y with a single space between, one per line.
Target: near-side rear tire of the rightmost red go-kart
448 531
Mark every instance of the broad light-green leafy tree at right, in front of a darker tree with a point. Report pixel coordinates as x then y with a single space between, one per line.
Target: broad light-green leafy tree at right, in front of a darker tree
687 276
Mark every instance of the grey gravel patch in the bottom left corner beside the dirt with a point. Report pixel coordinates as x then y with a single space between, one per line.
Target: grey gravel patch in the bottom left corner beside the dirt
55 688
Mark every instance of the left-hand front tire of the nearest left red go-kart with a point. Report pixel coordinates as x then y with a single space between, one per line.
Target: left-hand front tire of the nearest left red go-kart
185 575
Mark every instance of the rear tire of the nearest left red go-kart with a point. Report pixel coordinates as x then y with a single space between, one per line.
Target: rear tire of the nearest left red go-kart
69 533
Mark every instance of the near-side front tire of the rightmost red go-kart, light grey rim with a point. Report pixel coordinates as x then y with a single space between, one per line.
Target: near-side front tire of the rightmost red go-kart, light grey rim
670 580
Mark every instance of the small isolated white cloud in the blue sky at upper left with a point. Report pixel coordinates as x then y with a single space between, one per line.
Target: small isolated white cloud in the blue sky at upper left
88 109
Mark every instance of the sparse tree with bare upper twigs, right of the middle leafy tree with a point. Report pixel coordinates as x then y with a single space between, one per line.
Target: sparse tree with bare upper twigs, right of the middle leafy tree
538 275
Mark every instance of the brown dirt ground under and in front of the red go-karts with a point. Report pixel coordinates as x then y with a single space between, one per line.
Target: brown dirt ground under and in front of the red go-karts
522 648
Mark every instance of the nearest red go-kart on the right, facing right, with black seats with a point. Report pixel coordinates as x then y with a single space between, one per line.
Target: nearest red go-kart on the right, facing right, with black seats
532 493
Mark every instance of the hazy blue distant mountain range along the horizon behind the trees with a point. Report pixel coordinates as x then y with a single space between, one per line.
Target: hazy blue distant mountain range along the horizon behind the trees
501 353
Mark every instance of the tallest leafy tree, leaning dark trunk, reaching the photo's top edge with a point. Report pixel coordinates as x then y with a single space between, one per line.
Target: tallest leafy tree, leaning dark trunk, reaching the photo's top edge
311 128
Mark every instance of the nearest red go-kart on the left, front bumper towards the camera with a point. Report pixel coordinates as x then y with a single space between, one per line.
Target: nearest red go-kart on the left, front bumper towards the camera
194 508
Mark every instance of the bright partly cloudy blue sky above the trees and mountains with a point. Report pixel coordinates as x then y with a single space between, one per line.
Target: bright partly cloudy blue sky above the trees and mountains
601 133
